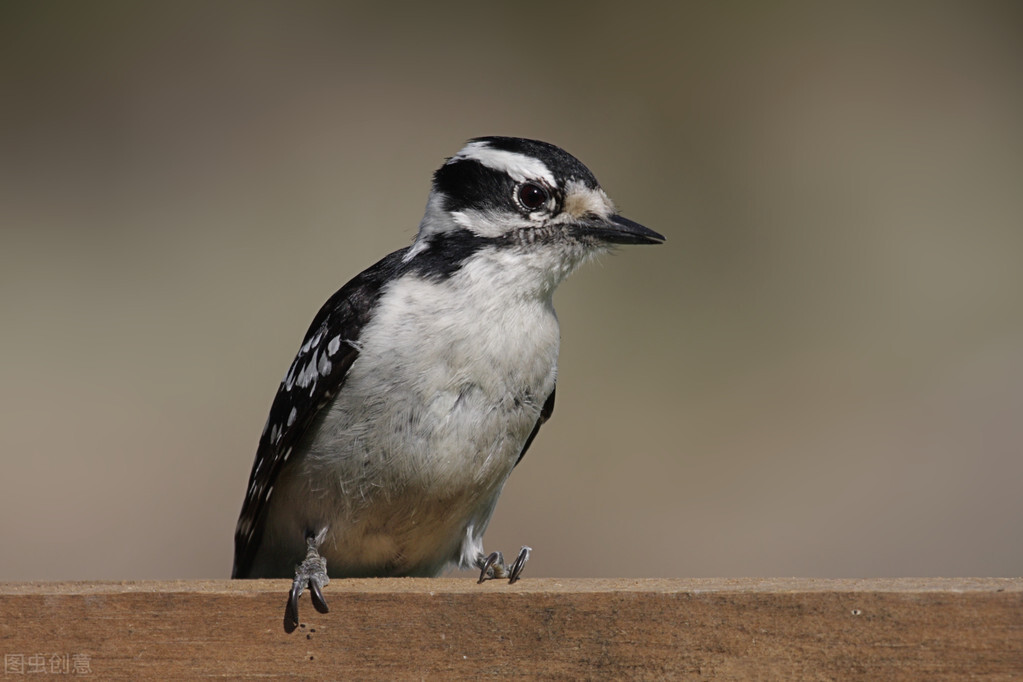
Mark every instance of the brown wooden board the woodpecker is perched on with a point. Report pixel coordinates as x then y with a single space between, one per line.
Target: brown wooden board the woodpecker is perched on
933 629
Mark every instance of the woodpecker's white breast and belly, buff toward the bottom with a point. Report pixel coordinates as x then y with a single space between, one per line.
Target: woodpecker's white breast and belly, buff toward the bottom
409 462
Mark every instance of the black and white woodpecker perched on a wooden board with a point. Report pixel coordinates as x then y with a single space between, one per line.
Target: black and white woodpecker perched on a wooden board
423 382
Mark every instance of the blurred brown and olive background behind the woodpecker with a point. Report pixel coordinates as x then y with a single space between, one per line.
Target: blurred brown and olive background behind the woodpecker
820 375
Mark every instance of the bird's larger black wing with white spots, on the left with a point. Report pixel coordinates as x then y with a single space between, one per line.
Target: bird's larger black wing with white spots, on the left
315 379
